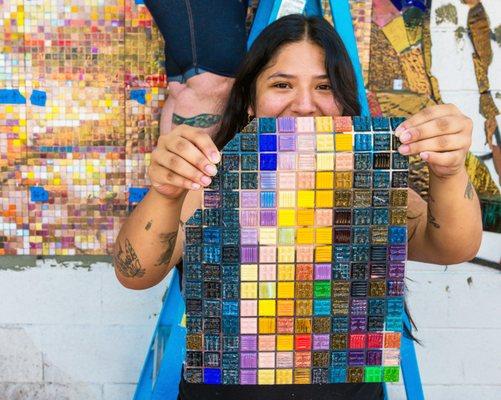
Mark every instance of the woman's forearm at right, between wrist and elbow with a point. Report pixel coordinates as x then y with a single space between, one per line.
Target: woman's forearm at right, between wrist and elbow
454 223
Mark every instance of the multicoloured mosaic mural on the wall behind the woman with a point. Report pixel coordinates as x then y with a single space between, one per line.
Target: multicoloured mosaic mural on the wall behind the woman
82 85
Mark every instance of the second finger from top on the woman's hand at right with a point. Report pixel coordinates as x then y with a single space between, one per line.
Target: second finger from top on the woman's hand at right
438 126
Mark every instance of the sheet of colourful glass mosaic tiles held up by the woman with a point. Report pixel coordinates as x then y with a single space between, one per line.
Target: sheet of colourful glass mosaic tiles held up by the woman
294 266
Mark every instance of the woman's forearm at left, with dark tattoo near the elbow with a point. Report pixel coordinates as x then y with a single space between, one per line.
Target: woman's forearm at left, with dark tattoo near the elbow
144 249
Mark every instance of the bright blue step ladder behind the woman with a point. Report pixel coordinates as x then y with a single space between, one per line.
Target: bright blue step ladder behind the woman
161 372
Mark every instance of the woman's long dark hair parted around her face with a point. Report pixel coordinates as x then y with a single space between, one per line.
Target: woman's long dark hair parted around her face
288 29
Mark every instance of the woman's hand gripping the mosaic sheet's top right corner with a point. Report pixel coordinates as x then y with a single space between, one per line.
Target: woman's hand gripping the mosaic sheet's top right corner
440 135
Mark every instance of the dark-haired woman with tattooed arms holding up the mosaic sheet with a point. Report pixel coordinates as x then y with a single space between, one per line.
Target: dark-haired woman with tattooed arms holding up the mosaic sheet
297 67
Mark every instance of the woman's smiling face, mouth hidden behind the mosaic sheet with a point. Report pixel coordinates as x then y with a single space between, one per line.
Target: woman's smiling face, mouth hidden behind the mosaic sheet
295 84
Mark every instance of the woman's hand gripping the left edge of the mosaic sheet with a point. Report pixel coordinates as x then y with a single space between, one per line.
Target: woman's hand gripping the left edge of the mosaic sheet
183 160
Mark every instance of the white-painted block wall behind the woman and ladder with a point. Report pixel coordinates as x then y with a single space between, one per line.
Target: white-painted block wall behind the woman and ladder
72 332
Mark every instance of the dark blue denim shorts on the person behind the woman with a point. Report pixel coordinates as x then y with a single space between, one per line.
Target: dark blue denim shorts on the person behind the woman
201 35
